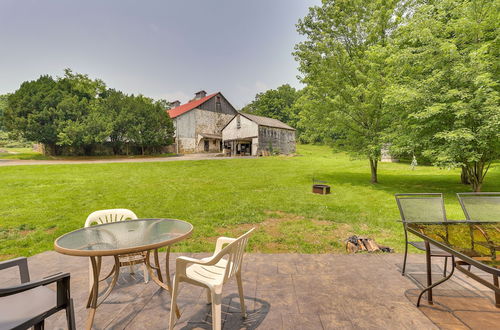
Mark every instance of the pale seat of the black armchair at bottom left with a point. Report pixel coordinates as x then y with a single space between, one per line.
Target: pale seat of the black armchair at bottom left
22 307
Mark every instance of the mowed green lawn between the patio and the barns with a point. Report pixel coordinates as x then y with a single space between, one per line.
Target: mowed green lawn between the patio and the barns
224 197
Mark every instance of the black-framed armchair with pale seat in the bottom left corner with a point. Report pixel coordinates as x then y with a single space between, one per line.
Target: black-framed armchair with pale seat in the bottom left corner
30 303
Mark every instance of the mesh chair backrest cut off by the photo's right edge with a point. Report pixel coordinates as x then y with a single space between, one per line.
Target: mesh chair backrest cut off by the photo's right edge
480 206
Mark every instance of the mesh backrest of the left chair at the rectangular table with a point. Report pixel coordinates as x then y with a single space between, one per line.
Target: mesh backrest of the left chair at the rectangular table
421 207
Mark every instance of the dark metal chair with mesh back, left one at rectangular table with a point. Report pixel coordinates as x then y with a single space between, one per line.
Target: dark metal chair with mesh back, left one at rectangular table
422 207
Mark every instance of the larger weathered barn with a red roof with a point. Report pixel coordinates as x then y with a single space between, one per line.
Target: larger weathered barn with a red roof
198 123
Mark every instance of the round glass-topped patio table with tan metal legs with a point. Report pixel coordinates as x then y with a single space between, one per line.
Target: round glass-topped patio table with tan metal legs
130 237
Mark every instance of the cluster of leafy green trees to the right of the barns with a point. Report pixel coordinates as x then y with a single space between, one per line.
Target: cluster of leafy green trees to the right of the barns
422 75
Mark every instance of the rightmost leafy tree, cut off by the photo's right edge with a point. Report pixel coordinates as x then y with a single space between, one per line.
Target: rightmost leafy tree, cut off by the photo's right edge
447 85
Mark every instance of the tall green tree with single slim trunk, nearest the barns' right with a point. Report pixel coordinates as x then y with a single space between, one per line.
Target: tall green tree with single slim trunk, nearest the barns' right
343 64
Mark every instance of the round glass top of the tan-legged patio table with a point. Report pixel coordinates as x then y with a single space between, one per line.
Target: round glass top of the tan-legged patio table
124 235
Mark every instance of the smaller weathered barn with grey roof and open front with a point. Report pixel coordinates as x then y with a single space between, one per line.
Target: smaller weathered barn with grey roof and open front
248 134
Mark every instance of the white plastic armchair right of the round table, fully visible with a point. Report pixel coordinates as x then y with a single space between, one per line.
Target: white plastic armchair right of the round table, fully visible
212 273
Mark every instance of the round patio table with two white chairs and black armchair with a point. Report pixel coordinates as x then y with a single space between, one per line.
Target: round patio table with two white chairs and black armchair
129 243
